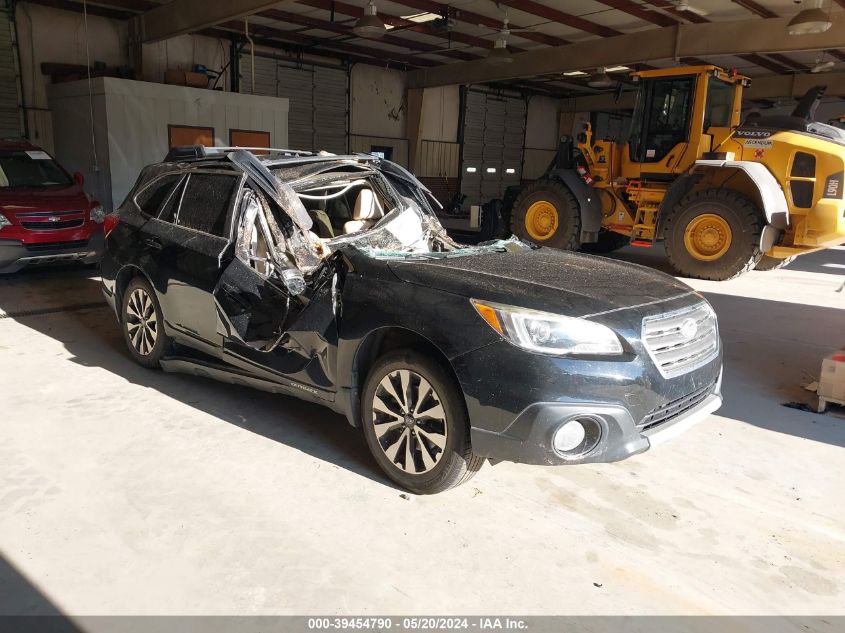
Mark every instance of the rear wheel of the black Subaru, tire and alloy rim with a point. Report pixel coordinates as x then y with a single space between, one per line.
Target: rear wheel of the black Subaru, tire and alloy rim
155 344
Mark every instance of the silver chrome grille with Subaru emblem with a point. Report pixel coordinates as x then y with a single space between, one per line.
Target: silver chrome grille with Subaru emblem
681 341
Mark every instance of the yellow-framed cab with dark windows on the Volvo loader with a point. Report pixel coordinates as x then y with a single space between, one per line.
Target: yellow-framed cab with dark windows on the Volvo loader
680 115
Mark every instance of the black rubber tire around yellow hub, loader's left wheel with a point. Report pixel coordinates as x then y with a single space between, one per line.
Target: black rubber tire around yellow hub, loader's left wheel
567 235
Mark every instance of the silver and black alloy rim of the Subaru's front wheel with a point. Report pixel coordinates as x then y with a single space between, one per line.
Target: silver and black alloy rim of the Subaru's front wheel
409 421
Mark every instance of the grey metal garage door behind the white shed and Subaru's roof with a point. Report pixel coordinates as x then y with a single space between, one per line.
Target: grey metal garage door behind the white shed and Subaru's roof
318 99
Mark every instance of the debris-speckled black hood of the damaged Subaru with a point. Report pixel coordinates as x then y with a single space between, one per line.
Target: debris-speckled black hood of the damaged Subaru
556 281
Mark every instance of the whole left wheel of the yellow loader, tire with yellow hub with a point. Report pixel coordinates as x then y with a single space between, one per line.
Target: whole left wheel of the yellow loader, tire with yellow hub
546 213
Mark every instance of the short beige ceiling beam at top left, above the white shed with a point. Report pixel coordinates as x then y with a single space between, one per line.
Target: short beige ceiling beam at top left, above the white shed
186 16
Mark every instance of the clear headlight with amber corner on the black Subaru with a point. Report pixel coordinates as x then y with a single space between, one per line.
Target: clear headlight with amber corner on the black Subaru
548 333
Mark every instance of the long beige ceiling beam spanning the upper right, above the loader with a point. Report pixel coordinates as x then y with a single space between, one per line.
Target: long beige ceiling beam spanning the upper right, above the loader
749 37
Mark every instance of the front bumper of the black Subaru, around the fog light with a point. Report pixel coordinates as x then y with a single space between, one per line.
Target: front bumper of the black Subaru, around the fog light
635 407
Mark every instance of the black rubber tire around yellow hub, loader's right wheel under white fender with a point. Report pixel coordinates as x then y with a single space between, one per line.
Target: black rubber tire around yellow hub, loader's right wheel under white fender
746 224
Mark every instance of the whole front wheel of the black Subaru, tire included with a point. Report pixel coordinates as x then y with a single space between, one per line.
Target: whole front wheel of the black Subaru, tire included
454 463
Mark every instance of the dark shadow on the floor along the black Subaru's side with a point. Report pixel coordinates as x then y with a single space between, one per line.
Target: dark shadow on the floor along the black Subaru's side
93 338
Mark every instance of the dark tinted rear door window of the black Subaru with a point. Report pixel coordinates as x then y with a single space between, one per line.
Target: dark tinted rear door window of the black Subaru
206 202
